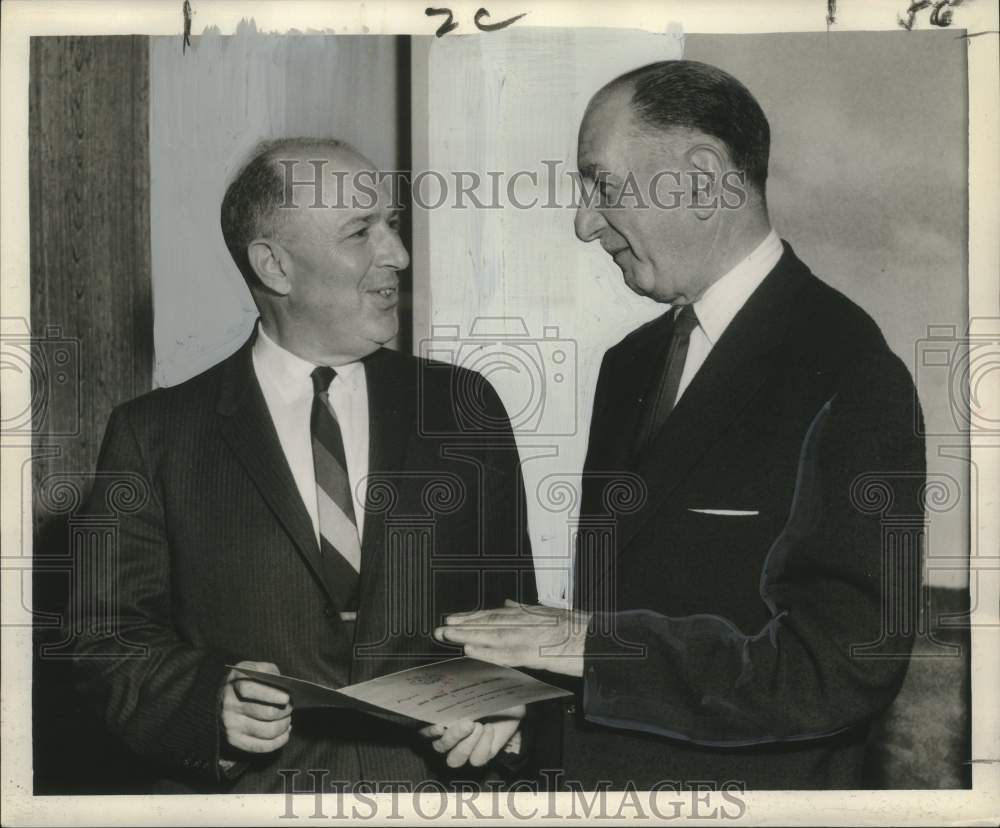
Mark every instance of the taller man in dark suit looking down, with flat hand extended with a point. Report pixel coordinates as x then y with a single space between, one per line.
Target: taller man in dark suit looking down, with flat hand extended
723 629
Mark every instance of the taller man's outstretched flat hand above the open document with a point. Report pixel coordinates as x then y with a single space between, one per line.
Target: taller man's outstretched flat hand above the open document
517 635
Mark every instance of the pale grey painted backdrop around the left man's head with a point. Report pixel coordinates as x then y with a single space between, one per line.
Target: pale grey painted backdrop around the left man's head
209 106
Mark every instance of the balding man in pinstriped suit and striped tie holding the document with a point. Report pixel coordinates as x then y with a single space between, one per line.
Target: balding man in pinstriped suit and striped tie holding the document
313 505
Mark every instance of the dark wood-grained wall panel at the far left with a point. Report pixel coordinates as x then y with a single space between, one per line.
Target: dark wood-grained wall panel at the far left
91 308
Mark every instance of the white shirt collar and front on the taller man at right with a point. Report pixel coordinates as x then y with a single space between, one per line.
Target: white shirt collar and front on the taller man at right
723 300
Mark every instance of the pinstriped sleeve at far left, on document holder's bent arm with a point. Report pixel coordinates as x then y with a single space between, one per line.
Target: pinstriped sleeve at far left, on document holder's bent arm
157 691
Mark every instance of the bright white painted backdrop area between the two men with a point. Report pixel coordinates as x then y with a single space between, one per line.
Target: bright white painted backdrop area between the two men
508 102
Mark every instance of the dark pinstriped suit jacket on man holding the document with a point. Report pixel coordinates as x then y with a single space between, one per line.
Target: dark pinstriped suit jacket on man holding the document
216 561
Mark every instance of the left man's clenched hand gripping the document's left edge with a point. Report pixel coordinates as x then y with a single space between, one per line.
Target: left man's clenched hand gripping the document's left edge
256 717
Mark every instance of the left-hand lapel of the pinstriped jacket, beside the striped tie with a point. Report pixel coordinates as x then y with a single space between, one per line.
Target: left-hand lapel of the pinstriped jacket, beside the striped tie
247 427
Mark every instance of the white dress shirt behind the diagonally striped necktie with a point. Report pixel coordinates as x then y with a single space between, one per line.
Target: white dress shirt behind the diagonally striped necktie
285 379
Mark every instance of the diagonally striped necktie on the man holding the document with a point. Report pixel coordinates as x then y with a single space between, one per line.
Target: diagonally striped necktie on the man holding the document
338 528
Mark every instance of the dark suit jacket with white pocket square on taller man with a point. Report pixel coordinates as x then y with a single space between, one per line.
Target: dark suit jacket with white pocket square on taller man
725 647
